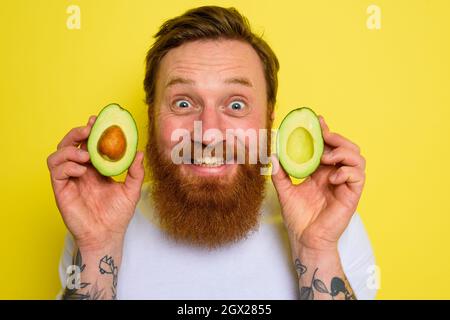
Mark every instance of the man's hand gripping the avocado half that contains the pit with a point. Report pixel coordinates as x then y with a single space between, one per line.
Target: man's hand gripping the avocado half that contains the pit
95 209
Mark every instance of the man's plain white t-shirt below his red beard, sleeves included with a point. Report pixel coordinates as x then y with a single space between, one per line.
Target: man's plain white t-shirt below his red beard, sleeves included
258 267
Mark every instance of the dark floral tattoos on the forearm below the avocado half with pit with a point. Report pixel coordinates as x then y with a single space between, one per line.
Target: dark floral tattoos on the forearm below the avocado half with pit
106 266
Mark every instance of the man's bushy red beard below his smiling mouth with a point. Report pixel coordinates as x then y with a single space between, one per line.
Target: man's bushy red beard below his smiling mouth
205 211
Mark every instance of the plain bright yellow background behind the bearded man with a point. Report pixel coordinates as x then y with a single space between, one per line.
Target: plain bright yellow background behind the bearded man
388 90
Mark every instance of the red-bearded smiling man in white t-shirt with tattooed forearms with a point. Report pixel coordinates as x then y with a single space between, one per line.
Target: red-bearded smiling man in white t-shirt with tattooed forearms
210 228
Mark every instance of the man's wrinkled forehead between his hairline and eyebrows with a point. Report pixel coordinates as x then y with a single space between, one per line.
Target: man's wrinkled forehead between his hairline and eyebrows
210 64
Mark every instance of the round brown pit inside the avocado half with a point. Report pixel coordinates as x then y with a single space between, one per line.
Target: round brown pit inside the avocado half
112 143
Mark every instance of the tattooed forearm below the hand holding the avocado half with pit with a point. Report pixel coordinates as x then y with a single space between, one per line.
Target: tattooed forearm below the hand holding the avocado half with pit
93 275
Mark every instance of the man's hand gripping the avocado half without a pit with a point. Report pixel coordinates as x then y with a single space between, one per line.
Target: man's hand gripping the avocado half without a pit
317 211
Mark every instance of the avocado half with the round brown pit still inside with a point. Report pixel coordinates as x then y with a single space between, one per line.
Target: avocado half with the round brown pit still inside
112 143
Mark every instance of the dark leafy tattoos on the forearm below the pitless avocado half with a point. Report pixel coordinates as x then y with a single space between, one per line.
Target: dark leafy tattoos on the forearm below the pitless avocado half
337 285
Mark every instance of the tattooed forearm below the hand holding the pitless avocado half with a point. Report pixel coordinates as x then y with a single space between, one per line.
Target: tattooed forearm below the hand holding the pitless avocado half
321 275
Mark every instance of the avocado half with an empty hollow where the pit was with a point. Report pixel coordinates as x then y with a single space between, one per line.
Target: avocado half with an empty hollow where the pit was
300 143
